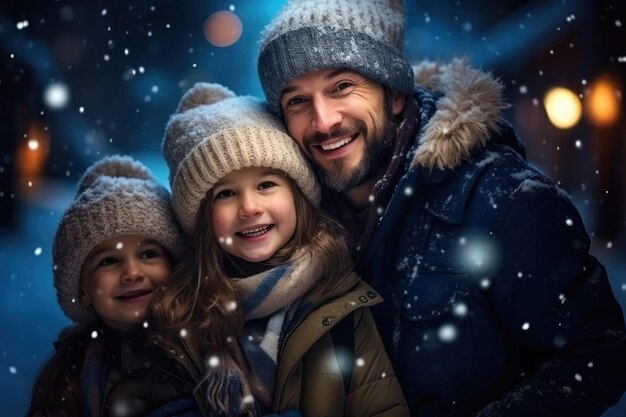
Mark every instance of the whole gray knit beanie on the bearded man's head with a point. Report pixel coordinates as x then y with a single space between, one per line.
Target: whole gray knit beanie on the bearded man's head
308 35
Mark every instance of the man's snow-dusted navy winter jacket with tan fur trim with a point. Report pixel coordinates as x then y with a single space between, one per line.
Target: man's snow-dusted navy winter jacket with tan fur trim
493 304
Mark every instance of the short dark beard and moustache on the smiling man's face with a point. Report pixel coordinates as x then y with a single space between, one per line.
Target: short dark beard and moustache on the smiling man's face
377 151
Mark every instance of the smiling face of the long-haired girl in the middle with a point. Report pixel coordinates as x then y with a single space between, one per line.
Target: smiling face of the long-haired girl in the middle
254 214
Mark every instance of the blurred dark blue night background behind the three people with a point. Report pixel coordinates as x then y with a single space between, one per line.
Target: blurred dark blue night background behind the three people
530 46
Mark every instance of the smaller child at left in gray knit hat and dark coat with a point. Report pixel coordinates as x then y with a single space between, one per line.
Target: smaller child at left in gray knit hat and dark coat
113 248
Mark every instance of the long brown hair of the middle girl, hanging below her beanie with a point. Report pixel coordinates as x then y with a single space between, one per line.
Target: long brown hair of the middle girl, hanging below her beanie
200 296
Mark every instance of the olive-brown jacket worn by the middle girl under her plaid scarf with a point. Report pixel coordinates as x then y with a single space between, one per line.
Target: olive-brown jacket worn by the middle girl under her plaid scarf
309 378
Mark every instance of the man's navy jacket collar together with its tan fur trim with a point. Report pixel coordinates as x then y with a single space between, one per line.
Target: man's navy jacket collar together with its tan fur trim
454 133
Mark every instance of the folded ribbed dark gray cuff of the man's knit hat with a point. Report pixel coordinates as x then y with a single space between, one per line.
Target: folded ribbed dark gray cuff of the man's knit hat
311 49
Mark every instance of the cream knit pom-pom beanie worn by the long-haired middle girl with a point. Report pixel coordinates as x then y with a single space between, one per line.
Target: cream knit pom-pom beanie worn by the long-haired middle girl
214 132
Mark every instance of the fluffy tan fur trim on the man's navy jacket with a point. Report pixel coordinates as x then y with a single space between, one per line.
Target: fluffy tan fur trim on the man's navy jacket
466 115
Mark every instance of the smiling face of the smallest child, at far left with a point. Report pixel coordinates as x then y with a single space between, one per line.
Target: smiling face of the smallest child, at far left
118 277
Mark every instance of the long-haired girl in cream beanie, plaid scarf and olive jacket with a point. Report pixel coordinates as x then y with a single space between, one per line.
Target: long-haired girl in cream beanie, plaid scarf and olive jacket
267 290
